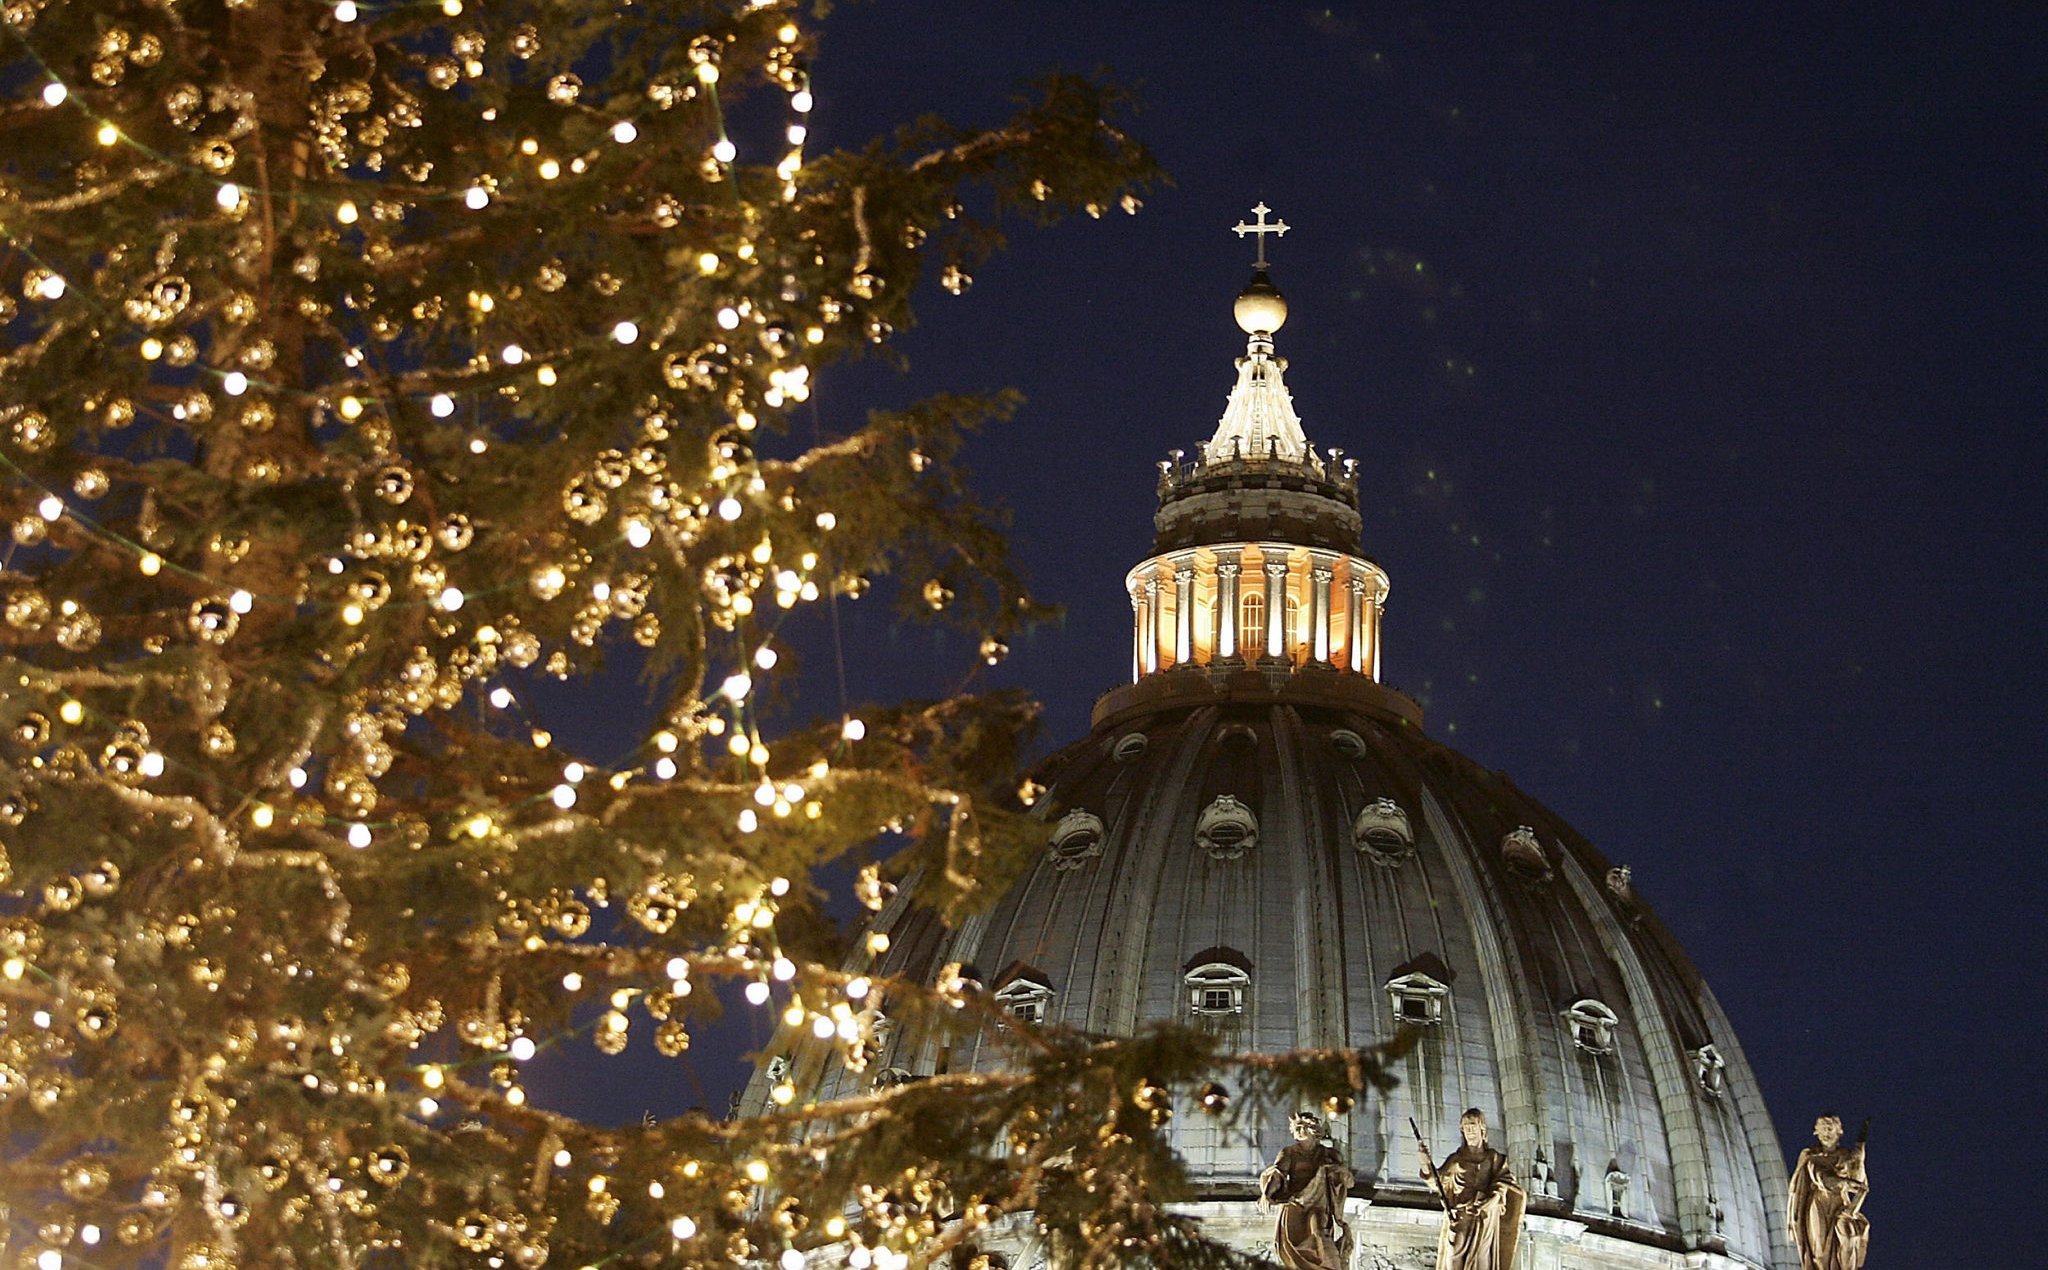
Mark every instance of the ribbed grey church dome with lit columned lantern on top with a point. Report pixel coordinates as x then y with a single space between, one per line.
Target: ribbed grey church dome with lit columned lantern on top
1263 839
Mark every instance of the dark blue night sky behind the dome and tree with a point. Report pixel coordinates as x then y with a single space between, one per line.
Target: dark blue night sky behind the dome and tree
1695 364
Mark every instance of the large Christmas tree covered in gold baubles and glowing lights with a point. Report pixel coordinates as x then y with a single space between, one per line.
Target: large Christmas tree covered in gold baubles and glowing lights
368 362
